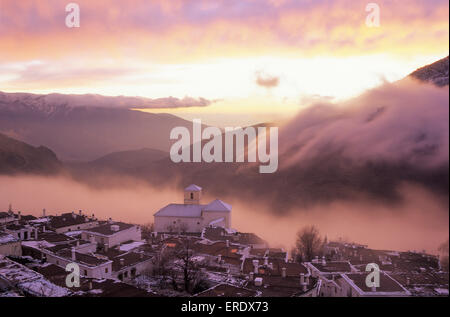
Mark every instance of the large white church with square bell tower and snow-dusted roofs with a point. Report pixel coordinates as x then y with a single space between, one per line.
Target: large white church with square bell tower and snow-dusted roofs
192 216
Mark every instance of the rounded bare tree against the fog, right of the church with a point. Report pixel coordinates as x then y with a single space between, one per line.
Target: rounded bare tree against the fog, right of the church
309 243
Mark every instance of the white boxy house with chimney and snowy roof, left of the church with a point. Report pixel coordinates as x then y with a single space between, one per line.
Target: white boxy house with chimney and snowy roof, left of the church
111 233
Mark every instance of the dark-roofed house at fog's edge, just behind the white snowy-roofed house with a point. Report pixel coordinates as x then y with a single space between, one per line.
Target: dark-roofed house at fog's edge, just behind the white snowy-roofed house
72 222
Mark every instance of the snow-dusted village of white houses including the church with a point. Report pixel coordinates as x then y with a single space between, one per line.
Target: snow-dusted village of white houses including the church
191 249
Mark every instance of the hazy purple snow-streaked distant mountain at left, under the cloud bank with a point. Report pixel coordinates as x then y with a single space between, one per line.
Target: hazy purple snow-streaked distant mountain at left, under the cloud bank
79 130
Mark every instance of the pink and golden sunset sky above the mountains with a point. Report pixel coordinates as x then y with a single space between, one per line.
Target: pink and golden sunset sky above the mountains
254 60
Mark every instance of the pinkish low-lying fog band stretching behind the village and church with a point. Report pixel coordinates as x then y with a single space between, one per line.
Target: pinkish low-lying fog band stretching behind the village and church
420 223
